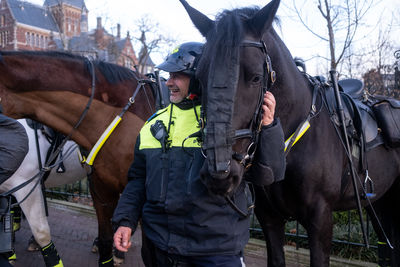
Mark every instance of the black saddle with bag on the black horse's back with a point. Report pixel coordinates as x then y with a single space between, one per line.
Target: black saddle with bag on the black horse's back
370 120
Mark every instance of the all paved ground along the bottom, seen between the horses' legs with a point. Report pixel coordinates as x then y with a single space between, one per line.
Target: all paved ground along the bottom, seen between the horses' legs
73 232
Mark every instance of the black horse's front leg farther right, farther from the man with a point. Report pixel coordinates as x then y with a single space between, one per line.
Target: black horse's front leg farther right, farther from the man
318 223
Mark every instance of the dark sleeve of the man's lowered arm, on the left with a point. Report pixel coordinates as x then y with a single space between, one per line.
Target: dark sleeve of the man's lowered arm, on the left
130 204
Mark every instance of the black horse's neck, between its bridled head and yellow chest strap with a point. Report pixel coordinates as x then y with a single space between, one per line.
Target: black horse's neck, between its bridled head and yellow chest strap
291 90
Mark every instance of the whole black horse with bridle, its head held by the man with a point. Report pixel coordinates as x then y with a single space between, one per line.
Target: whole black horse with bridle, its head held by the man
236 67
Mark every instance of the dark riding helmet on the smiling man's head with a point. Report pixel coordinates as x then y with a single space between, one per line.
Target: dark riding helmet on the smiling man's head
184 58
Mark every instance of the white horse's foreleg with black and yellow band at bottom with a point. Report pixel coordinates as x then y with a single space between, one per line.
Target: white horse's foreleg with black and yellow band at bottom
33 208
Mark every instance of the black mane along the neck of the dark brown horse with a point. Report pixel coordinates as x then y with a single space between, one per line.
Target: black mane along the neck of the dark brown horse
112 72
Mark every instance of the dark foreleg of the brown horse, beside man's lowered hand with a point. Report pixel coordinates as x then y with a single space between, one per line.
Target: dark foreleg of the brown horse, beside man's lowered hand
104 201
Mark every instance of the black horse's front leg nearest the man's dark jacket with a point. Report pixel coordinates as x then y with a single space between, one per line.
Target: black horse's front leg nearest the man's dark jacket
273 227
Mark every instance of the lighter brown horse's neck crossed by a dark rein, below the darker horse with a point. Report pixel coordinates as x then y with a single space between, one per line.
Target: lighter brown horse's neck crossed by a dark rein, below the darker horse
62 110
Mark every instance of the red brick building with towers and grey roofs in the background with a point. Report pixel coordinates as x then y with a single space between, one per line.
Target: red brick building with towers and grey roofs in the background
61 25
